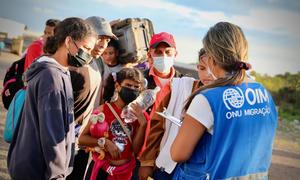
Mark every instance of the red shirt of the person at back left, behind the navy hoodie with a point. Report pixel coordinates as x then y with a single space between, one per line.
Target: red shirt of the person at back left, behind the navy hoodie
34 50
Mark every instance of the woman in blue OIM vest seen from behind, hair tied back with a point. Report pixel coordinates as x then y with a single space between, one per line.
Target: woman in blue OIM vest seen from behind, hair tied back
229 125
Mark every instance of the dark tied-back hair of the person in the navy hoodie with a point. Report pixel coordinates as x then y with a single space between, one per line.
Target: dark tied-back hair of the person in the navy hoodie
74 27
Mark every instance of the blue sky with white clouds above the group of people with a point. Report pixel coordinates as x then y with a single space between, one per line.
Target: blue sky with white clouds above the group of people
271 26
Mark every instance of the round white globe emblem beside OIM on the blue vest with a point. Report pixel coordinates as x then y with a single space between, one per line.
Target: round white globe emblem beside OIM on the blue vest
233 98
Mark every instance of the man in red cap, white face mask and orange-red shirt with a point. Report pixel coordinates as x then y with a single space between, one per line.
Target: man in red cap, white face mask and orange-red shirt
161 58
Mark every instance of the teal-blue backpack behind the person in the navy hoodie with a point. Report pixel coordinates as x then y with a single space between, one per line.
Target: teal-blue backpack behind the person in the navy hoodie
14 115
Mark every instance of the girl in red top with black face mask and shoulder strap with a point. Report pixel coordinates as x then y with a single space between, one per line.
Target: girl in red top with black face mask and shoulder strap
122 141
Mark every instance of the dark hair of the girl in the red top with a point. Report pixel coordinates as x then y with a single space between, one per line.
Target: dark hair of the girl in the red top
133 74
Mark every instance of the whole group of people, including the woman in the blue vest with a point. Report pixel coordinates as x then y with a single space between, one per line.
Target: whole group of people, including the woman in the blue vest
76 87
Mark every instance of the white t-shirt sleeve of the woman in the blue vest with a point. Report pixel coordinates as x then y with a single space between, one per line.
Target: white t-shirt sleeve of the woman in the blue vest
200 110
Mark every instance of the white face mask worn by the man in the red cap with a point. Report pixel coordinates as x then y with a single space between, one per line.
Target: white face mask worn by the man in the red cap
163 64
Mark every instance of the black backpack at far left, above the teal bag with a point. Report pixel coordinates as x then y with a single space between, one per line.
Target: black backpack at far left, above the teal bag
13 81
